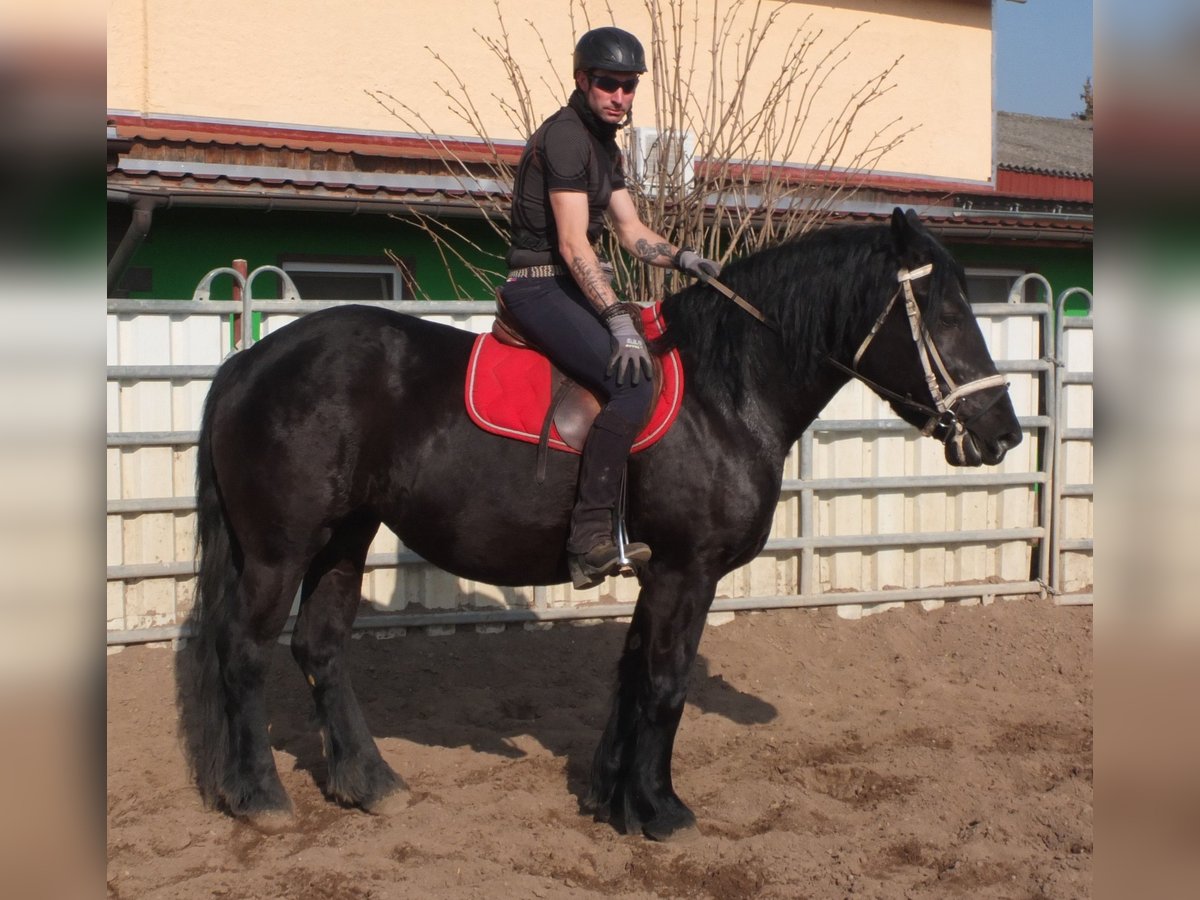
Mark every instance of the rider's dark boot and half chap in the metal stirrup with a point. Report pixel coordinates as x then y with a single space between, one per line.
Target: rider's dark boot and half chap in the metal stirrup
592 550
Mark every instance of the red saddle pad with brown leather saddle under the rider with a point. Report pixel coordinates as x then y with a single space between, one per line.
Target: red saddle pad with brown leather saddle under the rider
515 392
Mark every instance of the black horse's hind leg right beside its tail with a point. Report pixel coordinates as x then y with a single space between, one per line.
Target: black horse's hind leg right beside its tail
251 785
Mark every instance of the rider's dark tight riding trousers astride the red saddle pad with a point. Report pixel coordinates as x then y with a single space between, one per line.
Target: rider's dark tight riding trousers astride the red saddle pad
557 317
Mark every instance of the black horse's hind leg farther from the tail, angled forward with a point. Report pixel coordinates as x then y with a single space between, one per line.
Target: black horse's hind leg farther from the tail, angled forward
358 775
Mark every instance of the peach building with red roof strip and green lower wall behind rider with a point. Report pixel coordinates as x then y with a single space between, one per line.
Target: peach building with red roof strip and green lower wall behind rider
328 143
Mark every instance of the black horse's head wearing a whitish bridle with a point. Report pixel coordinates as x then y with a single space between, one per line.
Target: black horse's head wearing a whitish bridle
927 356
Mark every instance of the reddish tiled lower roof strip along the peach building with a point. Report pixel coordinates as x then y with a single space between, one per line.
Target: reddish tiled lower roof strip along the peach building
293 164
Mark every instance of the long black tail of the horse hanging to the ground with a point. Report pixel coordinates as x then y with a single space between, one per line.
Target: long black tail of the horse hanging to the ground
201 689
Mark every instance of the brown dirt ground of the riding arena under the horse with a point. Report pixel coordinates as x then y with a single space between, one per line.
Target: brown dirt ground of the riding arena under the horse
910 754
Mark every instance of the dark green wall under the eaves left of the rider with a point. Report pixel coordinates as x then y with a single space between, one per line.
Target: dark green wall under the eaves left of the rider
185 244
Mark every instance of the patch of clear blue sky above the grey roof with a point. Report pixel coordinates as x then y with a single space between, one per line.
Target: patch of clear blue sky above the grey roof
1043 56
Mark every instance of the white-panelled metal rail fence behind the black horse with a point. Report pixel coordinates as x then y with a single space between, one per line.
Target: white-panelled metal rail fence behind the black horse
871 514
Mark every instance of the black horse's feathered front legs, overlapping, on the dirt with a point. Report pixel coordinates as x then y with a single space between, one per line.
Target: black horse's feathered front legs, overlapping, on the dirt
632 771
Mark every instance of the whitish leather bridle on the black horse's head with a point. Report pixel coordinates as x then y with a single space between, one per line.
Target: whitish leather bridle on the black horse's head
945 422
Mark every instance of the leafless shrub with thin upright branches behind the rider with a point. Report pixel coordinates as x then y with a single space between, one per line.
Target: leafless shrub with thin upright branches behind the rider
736 165
